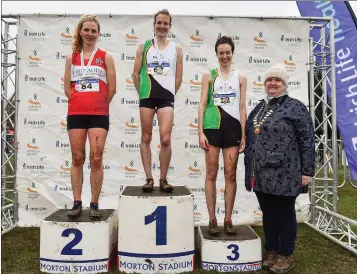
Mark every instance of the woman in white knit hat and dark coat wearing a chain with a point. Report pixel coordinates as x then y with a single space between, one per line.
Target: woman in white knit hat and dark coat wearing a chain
279 165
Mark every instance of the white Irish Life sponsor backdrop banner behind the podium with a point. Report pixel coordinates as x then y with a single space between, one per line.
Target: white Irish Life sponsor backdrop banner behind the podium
44 157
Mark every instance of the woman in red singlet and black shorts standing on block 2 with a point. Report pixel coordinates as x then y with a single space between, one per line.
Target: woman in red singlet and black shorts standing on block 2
90 84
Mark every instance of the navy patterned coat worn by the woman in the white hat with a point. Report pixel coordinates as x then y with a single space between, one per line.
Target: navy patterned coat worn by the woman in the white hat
283 151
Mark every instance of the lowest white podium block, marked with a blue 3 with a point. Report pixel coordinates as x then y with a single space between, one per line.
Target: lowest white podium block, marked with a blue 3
238 253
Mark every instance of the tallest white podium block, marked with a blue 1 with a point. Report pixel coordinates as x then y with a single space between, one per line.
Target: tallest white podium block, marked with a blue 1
156 231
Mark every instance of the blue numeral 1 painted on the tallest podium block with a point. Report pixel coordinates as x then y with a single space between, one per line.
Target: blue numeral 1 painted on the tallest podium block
160 217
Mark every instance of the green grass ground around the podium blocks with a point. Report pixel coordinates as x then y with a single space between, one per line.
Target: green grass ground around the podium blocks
314 253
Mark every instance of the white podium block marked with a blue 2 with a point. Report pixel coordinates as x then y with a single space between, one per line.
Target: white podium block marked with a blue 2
80 245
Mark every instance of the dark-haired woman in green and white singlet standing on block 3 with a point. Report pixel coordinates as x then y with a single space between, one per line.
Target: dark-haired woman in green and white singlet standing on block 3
221 125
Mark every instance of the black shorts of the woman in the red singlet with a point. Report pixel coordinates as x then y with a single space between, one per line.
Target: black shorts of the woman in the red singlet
87 121
